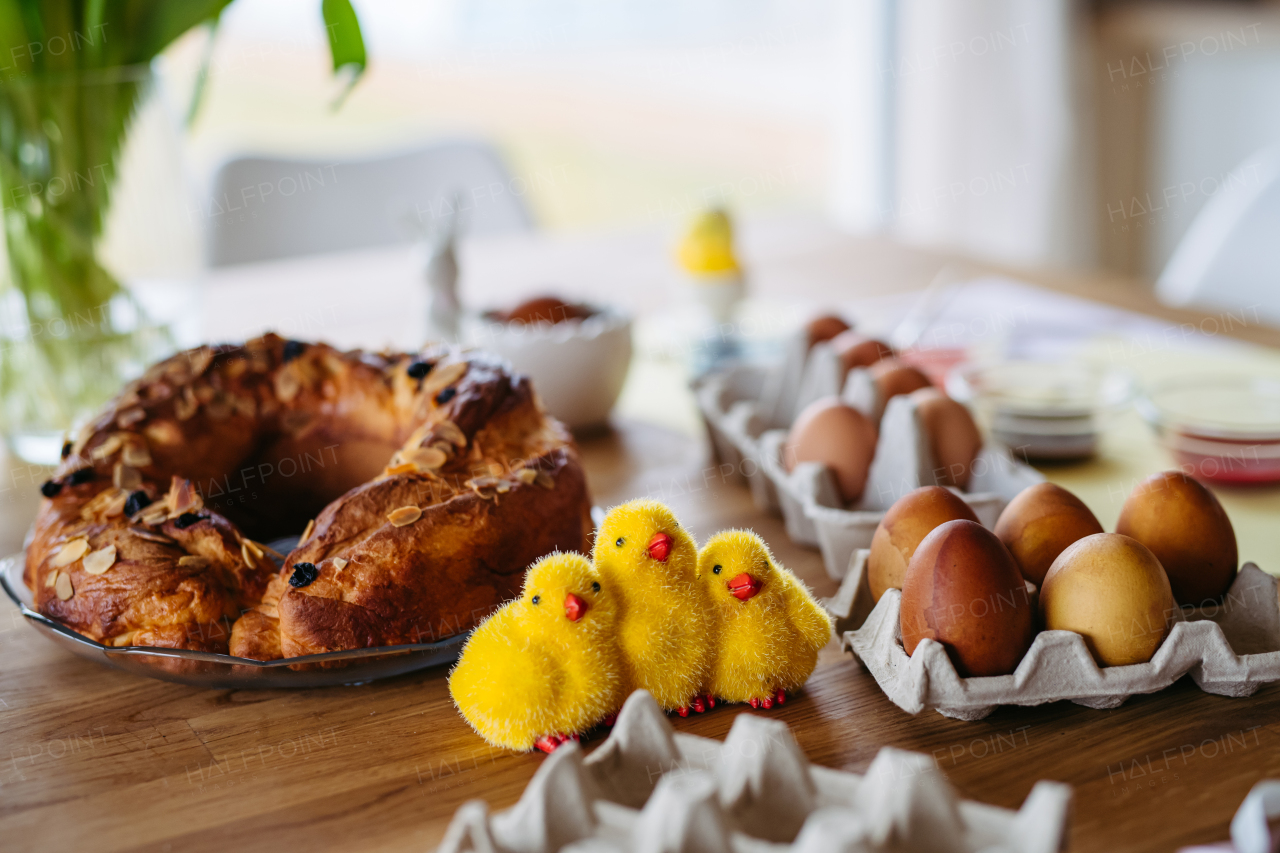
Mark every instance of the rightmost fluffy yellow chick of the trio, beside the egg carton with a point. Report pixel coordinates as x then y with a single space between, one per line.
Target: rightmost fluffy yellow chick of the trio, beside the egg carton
767 626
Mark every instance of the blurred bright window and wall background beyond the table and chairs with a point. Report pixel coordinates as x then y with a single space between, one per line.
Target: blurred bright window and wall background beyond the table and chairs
1052 134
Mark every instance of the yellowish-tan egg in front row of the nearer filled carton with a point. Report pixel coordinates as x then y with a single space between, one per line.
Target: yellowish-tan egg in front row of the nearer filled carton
1112 591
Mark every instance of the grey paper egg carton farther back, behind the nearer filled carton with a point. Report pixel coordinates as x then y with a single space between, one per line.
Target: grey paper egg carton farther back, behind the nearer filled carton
748 412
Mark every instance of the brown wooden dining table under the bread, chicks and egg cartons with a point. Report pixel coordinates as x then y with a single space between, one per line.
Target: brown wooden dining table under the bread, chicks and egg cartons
94 758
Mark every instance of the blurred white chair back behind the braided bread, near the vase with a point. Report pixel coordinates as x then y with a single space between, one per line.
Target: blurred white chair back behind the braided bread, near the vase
264 208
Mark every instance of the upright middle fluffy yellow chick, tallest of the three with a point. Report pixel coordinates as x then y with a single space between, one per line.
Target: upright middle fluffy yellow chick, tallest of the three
664 619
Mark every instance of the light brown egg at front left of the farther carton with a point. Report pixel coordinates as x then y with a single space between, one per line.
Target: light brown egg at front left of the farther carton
838 436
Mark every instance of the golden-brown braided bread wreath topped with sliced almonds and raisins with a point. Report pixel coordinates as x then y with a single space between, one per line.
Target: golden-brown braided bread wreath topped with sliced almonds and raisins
220 448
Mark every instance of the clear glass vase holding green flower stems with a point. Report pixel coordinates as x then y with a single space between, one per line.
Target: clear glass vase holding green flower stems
72 334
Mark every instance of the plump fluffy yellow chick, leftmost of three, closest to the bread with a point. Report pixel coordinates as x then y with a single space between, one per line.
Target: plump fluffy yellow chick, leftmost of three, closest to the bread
546 667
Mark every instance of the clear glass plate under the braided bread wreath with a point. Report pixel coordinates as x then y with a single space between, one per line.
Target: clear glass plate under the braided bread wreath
225 672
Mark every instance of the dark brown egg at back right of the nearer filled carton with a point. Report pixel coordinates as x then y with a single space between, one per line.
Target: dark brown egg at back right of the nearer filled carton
1190 533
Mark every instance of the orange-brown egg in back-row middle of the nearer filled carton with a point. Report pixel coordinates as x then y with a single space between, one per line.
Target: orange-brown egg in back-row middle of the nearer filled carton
1040 523
